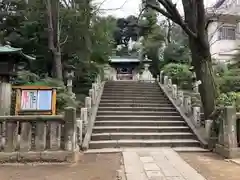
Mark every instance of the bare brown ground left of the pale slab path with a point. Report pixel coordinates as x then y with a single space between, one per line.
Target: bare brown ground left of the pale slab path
90 167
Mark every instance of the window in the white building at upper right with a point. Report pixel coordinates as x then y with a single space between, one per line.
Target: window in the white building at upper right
227 33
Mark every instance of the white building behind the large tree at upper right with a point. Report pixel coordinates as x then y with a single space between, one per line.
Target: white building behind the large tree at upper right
224 29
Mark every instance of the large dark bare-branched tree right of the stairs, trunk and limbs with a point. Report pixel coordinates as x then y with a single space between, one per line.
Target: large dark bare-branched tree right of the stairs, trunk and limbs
194 24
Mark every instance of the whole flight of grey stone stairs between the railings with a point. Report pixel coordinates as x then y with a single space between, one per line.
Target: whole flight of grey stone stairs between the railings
138 114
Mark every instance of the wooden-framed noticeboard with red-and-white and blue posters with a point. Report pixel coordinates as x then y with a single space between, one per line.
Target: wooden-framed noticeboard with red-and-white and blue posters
35 100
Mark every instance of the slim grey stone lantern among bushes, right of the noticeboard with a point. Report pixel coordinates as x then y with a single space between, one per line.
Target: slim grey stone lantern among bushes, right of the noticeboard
69 74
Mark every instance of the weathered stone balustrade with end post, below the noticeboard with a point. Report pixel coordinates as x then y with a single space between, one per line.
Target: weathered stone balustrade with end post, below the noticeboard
40 137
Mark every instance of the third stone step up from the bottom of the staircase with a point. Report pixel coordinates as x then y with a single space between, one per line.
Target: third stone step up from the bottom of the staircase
111 129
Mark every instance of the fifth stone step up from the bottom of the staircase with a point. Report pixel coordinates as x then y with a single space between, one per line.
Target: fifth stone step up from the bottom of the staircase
131 117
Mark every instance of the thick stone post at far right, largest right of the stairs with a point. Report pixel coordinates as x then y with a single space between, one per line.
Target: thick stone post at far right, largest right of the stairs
228 133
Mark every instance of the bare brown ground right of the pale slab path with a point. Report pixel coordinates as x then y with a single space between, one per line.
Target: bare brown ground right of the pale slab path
212 166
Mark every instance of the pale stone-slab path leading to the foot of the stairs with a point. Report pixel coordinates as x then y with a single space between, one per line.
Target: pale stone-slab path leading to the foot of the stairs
157 164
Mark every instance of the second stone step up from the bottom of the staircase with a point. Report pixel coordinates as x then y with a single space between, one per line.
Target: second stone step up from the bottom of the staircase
143 135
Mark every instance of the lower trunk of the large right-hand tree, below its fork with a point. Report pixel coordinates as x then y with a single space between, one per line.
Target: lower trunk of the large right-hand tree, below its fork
201 60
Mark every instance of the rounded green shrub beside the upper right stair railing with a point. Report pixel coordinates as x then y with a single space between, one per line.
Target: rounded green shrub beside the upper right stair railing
180 74
